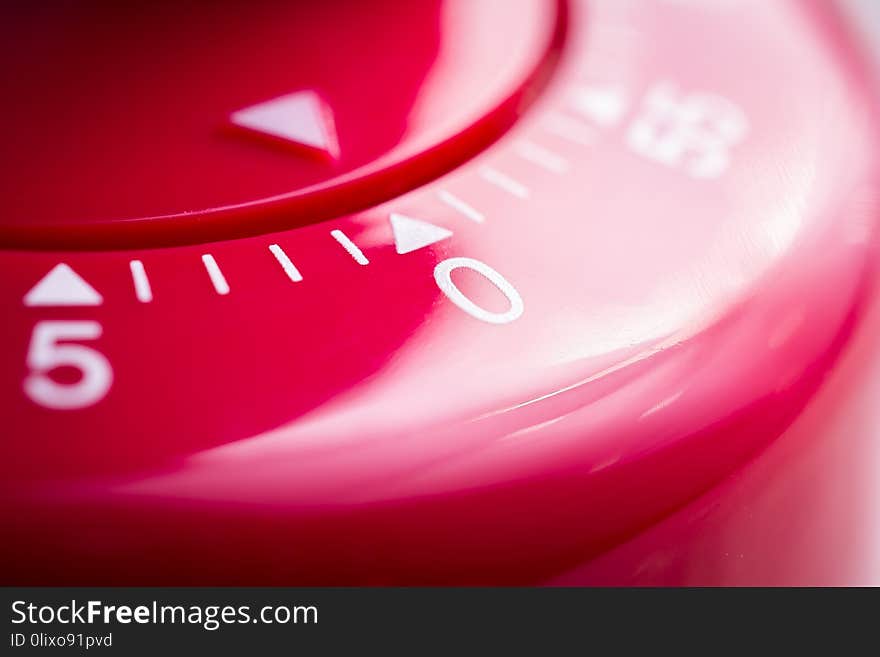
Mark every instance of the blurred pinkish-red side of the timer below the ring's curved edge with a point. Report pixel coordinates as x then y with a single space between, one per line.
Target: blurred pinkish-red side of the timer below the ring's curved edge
805 513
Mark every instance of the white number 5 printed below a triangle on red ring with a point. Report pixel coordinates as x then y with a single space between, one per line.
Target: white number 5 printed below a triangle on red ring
47 352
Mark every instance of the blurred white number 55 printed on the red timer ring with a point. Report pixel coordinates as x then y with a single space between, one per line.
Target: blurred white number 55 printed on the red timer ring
694 131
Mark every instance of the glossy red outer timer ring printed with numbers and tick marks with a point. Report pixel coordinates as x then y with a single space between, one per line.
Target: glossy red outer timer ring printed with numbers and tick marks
678 247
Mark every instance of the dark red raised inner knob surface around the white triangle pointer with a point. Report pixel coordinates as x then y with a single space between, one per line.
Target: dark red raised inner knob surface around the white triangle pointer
121 131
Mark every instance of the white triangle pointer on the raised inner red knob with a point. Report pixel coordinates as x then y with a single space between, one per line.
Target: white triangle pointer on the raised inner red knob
301 117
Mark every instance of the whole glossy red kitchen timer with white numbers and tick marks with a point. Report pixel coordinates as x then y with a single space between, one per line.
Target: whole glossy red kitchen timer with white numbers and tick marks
451 293
